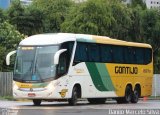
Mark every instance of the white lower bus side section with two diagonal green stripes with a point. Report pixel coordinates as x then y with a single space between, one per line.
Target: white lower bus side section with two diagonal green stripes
94 80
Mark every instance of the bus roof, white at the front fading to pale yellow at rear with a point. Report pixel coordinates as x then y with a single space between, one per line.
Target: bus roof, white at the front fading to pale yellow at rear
57 38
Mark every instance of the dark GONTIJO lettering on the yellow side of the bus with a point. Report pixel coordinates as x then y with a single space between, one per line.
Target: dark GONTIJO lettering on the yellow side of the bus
126 70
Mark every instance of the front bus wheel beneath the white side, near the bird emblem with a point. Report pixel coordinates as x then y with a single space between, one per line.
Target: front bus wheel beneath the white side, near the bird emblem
74 98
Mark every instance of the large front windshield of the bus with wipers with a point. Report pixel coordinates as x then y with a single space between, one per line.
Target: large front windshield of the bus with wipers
34 64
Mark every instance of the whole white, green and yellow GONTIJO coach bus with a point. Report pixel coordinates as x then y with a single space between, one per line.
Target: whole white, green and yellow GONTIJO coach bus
71 67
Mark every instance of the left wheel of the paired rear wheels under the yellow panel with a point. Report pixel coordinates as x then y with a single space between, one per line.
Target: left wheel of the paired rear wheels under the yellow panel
128 94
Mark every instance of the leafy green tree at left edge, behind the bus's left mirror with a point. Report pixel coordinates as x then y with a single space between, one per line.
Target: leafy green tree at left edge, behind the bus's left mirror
9 39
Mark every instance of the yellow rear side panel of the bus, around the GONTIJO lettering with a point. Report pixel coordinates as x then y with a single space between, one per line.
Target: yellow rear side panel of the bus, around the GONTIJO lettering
124 74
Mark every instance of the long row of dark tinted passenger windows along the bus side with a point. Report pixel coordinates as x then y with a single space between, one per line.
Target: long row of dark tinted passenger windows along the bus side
91 52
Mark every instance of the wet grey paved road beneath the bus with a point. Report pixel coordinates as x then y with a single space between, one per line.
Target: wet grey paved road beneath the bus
151 107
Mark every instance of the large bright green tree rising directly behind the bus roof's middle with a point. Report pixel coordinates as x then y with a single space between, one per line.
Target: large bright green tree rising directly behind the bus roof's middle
100 17
